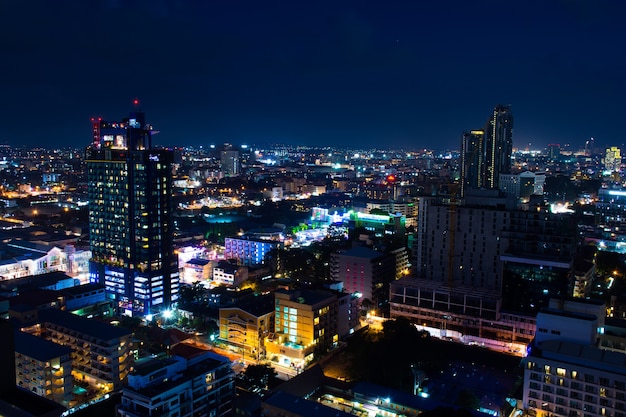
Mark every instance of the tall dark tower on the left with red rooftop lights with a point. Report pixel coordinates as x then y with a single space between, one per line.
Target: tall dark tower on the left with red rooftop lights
130 216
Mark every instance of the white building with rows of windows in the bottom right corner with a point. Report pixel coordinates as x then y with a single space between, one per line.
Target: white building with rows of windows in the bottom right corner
567 371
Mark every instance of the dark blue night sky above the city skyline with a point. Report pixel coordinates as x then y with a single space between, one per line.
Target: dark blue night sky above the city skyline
407 74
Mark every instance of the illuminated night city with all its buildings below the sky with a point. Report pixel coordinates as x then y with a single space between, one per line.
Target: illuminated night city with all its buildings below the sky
141 280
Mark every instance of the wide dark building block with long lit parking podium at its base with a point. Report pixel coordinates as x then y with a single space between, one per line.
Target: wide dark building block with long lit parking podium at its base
484 271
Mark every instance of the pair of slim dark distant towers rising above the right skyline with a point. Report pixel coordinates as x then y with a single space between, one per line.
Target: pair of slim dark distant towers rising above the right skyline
485 154
